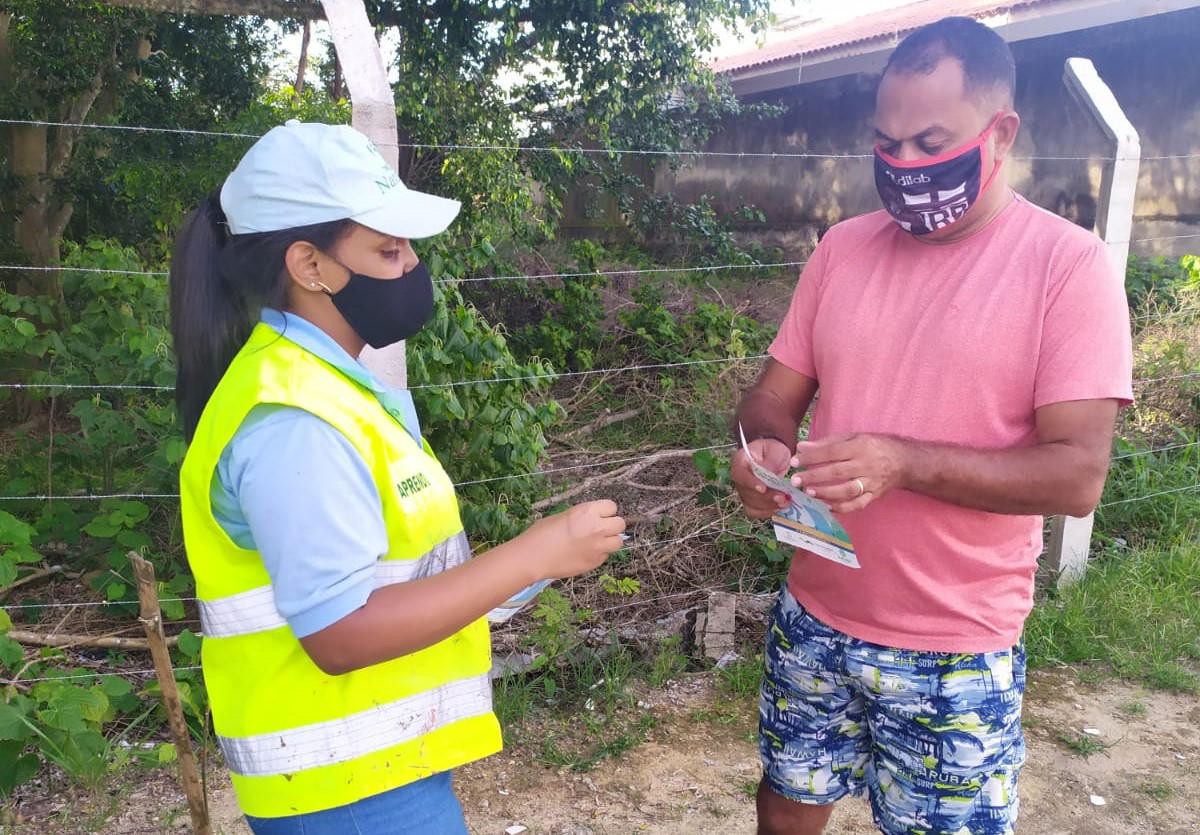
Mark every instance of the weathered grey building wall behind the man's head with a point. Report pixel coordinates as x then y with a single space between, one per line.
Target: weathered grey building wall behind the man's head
1150 64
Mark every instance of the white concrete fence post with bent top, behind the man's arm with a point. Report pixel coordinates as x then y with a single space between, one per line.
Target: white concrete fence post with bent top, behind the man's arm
1071 537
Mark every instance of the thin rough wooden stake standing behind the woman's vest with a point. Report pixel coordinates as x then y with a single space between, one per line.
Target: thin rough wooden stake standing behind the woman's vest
152 620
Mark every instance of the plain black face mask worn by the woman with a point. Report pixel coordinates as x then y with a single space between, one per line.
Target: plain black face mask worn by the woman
385 311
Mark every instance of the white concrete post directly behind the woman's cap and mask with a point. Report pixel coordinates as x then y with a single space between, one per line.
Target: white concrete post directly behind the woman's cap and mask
374 113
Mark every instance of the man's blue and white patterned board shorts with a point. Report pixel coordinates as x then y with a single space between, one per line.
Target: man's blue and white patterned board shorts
935 738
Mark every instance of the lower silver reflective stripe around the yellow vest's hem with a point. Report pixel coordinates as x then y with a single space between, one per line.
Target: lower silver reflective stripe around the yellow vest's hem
341 740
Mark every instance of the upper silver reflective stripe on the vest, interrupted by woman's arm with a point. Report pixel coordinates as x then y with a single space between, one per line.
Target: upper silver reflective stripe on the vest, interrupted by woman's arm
254 611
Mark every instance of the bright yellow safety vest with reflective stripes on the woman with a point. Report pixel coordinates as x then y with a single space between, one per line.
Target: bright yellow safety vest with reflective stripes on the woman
296 740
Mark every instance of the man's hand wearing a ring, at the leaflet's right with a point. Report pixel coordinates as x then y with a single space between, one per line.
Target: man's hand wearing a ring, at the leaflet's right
850 472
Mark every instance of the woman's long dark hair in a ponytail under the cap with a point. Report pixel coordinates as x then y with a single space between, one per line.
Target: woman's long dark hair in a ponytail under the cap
219 287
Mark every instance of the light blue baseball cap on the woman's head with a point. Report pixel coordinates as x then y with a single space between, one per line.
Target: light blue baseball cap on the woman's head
304 173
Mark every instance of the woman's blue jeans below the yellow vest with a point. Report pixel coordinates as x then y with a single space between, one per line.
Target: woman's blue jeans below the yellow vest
428 807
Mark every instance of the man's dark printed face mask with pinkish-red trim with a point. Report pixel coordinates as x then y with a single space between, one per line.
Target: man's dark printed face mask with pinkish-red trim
925 196
